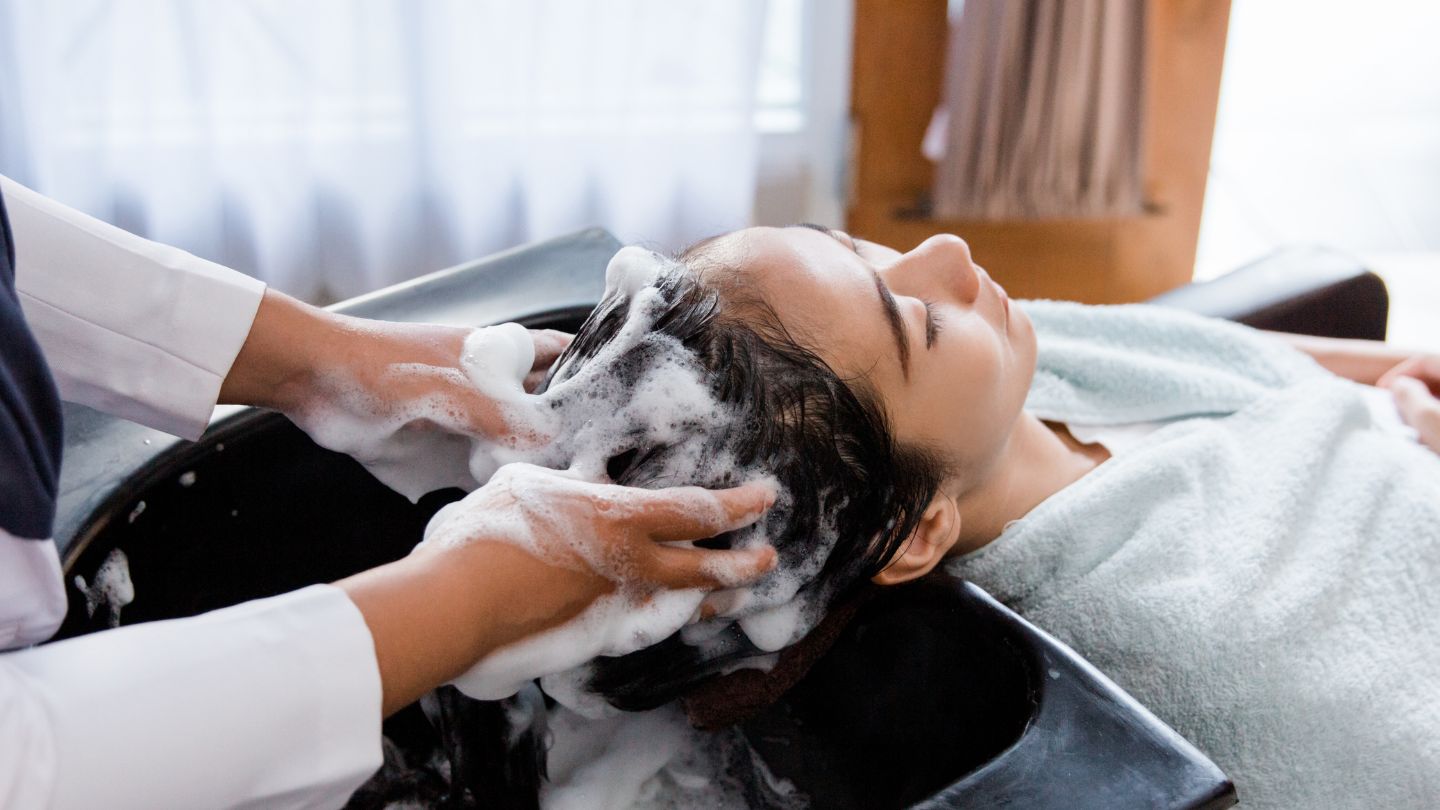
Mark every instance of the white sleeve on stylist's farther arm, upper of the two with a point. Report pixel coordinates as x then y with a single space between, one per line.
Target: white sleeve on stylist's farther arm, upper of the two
129 326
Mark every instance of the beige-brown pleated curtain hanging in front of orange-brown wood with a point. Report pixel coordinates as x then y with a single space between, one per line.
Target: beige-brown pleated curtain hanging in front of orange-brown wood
1042 110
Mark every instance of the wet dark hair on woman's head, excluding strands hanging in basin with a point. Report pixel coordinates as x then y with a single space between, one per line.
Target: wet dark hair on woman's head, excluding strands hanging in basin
827 440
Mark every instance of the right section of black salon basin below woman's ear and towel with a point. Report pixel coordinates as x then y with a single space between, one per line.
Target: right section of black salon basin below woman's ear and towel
938 697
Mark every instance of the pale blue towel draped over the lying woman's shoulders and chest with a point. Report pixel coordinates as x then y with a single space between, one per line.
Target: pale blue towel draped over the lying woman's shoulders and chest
1266 582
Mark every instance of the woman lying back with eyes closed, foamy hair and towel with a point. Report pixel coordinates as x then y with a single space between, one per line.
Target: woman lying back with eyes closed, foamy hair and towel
1242 540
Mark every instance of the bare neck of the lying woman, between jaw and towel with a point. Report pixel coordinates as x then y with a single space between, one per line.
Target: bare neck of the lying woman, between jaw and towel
1040 460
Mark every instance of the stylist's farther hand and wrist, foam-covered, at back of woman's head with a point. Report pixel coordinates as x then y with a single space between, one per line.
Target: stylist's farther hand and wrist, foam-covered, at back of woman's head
391 394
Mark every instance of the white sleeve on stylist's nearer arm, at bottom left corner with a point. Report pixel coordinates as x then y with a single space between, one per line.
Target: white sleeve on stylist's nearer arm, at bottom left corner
269 704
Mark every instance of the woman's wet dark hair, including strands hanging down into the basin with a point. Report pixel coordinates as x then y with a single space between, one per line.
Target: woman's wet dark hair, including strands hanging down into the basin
826 439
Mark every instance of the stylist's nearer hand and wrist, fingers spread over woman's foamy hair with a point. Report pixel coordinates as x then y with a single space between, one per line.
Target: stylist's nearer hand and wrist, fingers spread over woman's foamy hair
529 553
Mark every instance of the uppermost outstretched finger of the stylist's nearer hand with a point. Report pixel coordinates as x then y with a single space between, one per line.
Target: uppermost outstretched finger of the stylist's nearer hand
693 514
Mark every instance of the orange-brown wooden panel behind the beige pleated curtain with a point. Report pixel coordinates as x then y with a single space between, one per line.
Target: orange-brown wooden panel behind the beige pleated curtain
899 61
